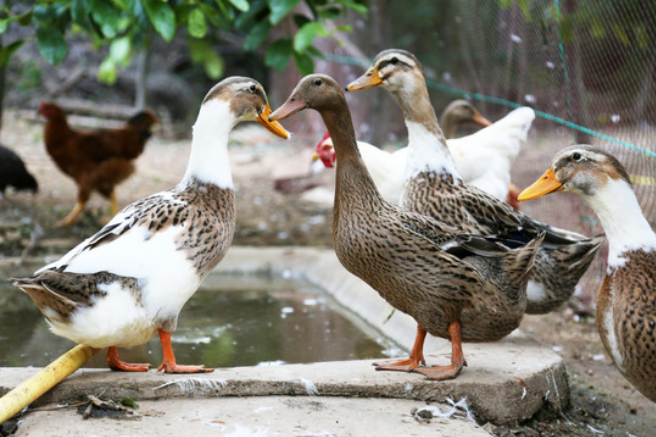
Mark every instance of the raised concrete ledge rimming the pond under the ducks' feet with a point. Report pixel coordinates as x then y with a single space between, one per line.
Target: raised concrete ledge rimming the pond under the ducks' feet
506 382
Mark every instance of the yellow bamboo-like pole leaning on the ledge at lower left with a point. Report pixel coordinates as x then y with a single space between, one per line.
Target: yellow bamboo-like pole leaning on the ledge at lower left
51 375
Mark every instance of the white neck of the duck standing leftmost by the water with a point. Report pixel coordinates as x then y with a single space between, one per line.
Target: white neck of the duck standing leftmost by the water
208 160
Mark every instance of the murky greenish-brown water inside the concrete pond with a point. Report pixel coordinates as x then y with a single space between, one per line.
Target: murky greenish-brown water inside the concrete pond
232 320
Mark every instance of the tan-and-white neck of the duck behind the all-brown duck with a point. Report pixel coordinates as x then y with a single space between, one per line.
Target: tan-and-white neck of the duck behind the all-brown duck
427 149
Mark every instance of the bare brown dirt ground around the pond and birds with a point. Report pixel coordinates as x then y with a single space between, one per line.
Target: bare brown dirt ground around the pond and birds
603 403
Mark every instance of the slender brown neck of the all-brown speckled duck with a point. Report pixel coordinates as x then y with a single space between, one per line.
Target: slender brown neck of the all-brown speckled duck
354 185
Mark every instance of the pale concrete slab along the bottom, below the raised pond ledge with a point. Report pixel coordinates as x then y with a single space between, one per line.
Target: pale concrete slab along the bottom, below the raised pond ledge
257 417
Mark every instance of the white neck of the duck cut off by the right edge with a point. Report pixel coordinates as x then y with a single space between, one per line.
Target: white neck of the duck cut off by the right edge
621 217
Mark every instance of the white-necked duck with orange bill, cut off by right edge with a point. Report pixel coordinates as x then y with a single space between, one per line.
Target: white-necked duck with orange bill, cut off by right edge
626 302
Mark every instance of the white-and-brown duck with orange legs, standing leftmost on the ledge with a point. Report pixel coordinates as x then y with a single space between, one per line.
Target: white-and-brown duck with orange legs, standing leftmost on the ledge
131 279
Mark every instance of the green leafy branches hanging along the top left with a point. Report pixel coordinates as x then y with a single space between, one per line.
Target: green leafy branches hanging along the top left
129 25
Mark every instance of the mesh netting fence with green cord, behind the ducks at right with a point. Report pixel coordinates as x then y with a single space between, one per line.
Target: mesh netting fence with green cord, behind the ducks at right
586 67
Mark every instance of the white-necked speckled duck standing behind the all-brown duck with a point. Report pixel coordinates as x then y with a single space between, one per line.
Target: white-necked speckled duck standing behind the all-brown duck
435 187
